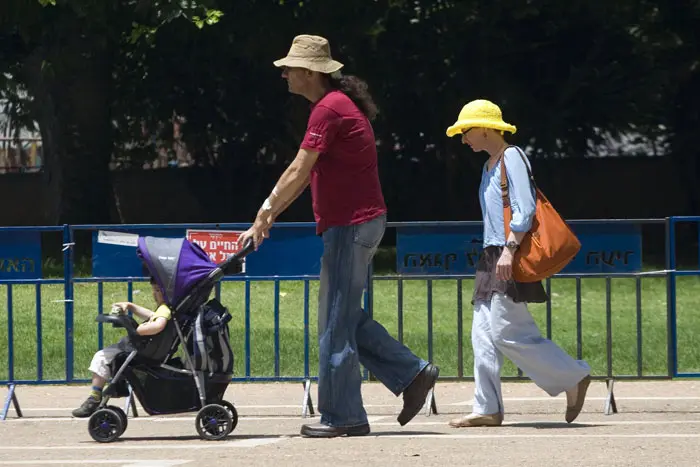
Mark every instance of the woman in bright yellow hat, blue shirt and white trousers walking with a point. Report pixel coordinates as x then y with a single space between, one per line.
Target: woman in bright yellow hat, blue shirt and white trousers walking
502 324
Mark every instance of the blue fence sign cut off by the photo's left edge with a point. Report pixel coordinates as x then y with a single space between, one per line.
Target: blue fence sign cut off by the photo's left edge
20 255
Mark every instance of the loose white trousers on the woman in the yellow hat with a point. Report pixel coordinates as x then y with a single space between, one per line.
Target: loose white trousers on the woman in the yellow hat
504 327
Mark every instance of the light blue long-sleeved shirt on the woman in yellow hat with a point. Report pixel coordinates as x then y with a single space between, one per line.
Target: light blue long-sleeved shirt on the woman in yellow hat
521 194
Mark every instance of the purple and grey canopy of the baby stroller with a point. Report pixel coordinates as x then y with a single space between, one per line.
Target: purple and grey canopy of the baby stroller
176 264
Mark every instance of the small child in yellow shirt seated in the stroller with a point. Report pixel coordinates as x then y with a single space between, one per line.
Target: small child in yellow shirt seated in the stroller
102 360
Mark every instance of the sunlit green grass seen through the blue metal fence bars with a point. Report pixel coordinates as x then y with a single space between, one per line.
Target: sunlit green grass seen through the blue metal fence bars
415 321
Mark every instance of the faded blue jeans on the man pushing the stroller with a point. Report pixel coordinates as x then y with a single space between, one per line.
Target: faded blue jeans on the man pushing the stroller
347 336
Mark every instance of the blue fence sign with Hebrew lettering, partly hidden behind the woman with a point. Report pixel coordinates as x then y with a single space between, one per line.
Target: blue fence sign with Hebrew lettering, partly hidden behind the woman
442 250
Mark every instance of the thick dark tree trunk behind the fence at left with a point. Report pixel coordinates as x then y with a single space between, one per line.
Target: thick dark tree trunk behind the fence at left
71 85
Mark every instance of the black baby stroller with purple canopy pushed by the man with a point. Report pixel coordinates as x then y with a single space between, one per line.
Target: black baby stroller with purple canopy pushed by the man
163 383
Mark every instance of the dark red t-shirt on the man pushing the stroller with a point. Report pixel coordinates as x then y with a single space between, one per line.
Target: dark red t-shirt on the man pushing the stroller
345 187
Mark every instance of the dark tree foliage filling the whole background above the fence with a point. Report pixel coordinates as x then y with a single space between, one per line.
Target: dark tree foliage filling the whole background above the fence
107 81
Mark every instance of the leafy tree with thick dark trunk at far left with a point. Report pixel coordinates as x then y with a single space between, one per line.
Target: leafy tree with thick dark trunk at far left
64 54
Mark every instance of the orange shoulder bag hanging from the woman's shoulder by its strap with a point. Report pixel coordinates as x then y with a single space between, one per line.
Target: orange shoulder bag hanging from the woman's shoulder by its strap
549 245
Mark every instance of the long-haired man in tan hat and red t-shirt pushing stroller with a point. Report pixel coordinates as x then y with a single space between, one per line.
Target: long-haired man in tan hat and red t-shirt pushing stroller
338 158
